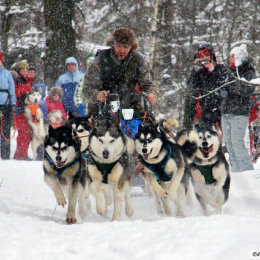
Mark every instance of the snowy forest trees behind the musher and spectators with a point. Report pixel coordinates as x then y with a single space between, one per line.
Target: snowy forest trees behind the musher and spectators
46 32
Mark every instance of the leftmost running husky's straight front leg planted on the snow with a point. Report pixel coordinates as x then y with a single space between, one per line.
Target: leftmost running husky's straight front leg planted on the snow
73 195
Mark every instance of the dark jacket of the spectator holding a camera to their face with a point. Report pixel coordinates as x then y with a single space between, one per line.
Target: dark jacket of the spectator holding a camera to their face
200 83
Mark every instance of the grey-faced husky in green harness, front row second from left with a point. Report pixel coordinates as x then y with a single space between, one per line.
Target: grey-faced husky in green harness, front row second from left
110 167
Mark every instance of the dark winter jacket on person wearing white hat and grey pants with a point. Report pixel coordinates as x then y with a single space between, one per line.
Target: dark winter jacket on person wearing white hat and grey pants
236 96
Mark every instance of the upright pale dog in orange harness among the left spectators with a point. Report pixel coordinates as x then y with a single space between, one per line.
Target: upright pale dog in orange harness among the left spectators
36 121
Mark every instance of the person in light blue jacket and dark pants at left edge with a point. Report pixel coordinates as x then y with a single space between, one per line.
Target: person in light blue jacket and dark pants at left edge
7 103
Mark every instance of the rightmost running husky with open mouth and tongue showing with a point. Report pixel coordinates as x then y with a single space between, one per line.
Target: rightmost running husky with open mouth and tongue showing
209 168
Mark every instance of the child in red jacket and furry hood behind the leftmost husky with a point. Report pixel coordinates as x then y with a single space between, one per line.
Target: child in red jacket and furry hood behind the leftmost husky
53 102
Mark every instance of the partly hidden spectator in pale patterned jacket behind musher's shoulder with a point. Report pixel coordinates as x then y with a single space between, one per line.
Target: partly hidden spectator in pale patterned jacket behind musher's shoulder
79 101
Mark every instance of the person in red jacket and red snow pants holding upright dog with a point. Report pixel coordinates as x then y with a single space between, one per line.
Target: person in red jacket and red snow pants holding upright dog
22 87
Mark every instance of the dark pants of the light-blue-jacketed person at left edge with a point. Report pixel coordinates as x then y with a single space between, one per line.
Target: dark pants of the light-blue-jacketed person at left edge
5 124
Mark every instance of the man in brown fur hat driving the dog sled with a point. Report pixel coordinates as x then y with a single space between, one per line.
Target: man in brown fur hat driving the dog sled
118 69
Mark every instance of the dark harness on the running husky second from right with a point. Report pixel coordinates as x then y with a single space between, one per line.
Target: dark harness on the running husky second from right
159 168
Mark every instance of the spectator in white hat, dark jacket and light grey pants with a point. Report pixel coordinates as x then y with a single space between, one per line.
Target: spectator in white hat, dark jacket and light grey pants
236 107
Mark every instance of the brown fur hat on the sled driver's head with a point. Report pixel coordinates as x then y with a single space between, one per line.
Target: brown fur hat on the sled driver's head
123 35
